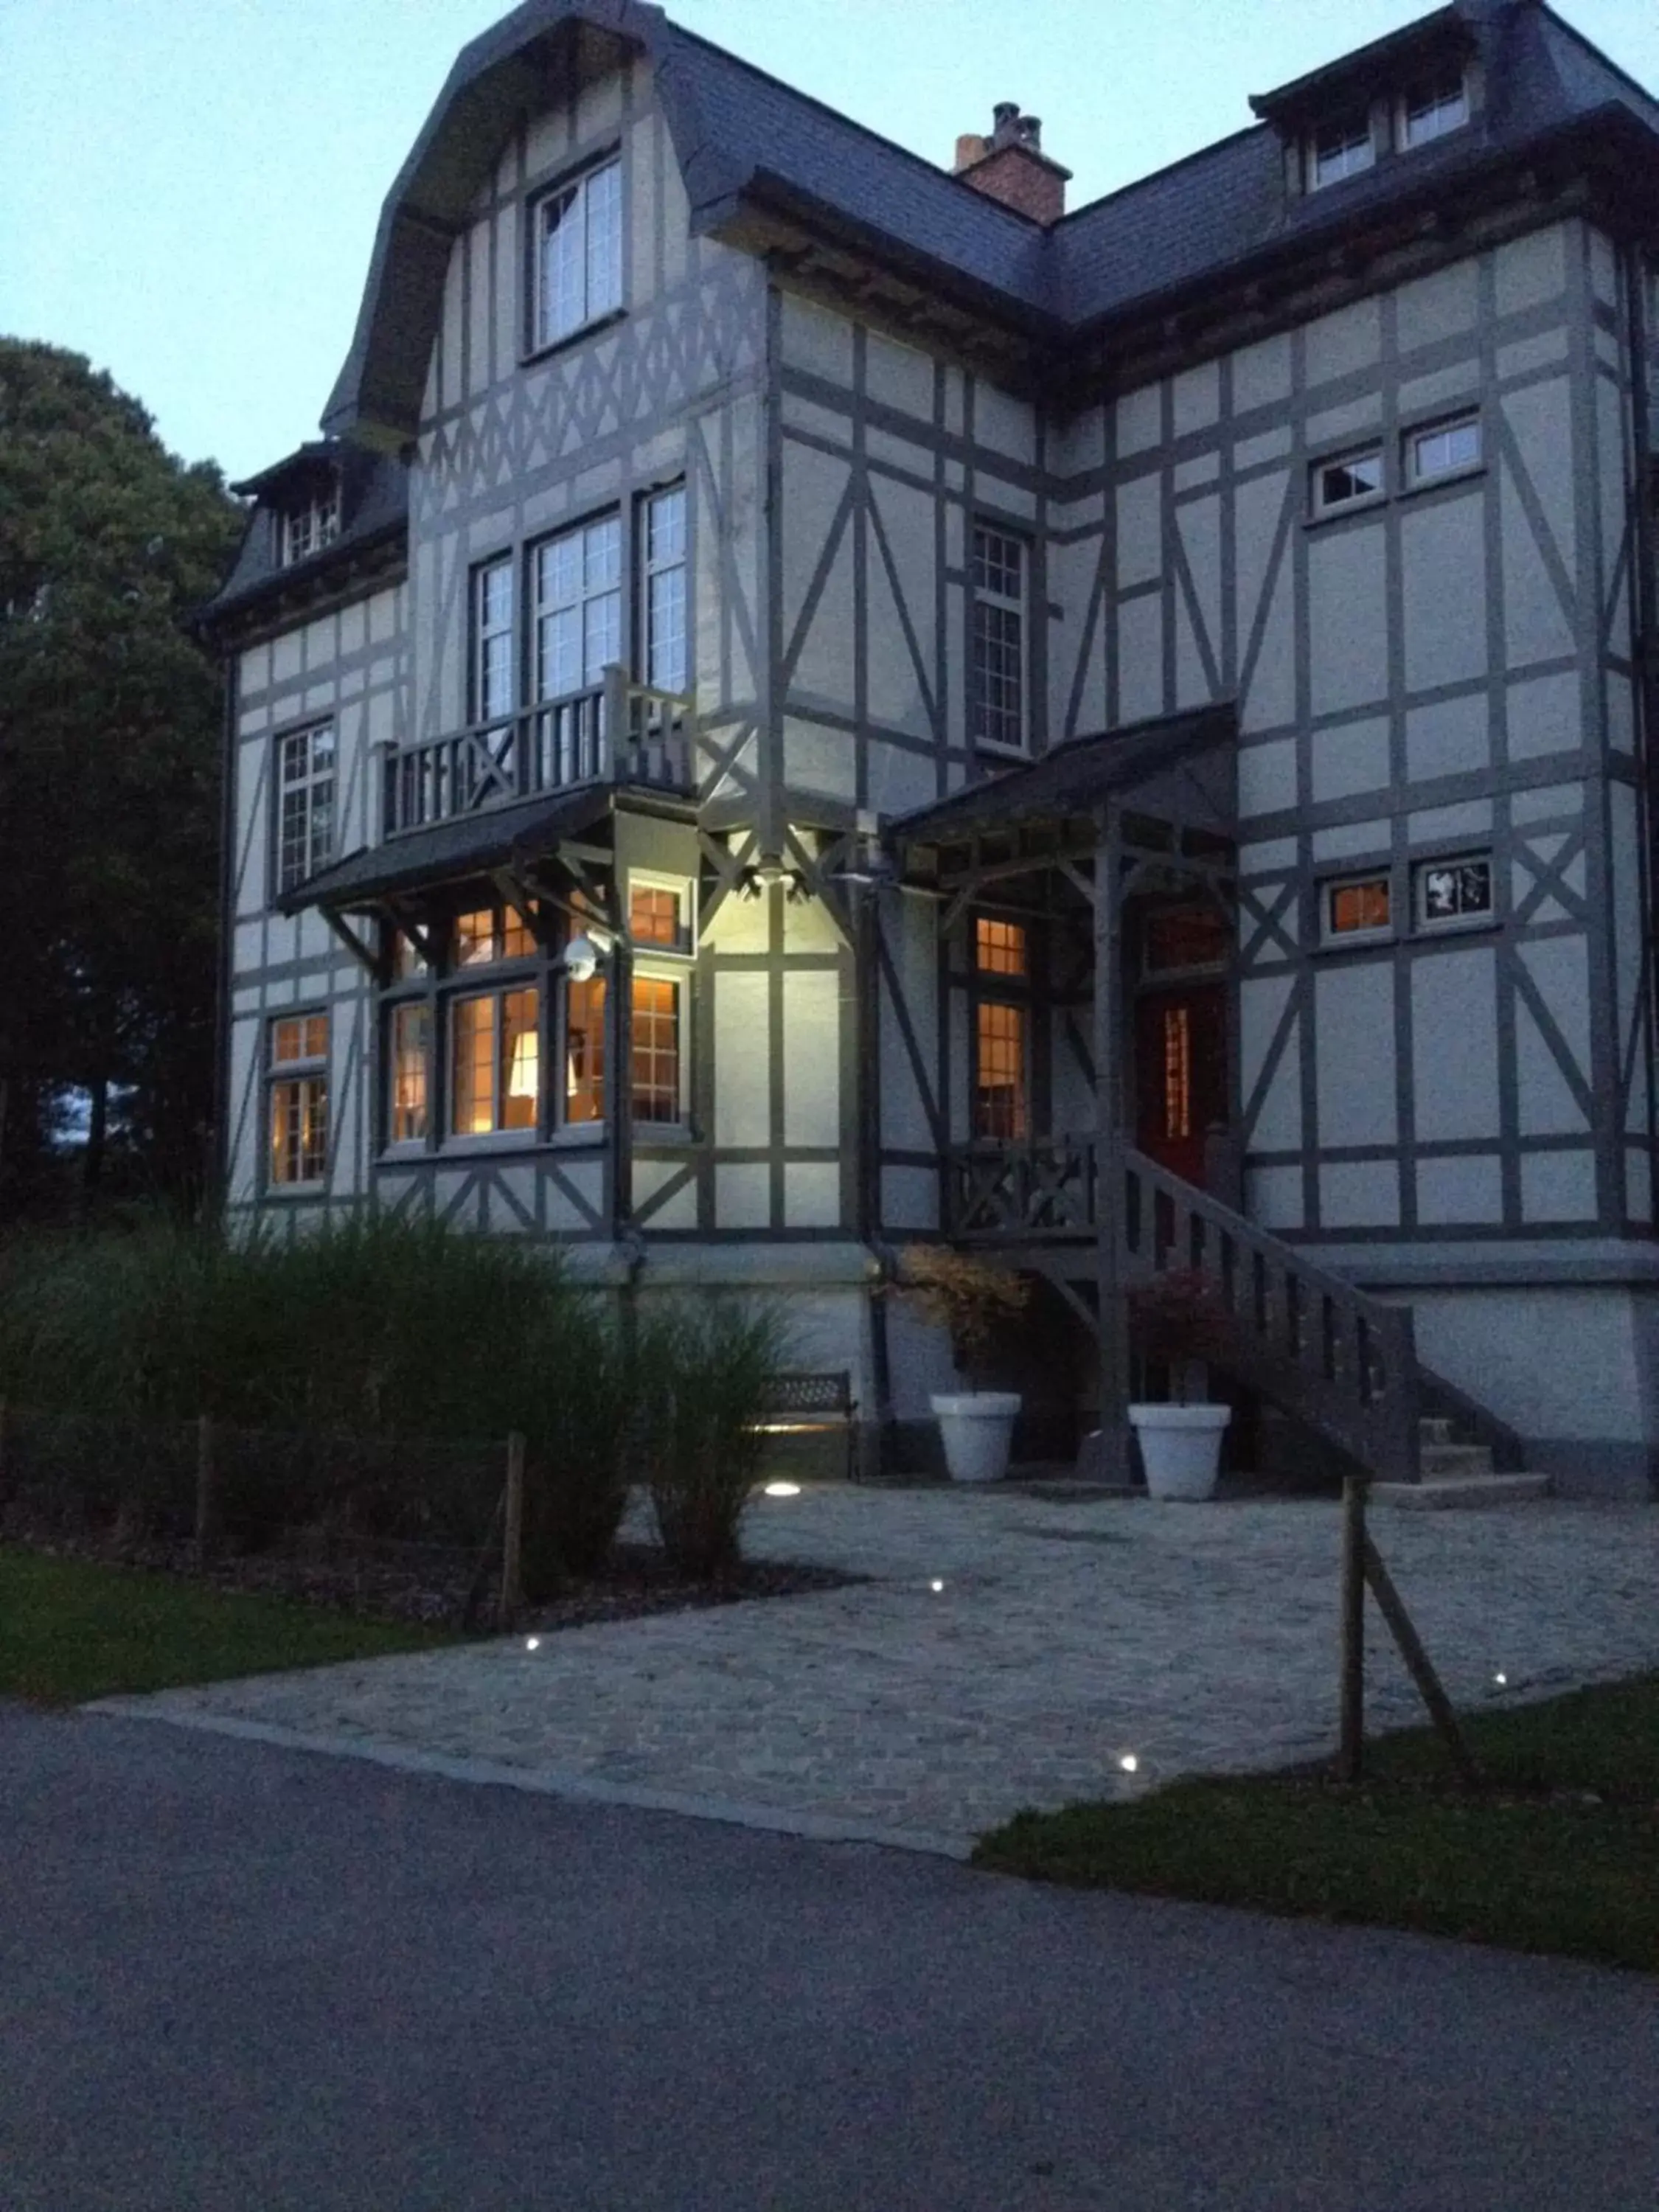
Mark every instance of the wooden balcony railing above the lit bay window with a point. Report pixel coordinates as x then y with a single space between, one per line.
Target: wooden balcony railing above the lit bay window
618 733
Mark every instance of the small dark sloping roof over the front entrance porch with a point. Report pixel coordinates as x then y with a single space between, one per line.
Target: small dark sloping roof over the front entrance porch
1178 769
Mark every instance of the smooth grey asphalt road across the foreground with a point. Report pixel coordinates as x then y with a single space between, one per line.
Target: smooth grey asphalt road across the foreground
249 1979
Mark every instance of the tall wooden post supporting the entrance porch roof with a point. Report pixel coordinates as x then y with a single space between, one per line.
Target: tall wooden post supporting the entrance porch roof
1109 1171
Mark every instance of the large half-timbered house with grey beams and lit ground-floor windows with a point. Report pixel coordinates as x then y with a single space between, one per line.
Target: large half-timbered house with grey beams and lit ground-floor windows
811 700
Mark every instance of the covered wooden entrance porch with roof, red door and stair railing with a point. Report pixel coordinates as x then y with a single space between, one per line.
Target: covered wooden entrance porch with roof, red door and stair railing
1098 1138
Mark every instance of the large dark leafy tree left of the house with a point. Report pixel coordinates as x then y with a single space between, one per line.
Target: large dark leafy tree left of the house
109 778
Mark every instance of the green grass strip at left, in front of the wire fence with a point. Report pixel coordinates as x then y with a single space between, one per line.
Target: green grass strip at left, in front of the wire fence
72 1631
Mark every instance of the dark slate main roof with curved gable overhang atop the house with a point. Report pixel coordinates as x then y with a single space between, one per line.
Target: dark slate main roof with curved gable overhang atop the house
742 136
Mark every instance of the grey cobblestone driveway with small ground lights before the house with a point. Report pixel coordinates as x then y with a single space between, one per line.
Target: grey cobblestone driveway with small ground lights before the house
1008 1651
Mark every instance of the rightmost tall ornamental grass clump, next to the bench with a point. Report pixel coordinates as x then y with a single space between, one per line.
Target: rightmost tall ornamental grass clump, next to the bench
705 1381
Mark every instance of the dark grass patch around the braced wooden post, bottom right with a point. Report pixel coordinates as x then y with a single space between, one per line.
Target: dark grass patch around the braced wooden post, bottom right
1527 1864
